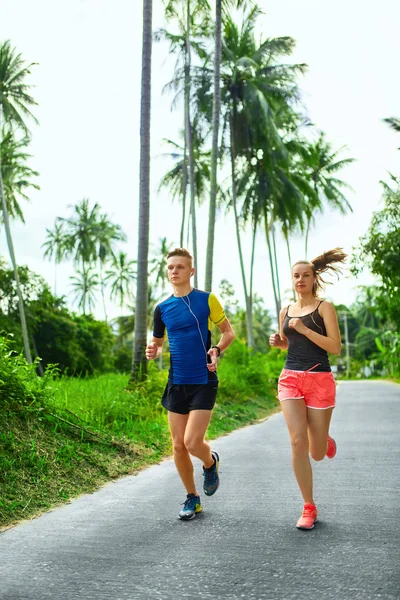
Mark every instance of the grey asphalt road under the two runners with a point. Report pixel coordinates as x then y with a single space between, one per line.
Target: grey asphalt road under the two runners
126 542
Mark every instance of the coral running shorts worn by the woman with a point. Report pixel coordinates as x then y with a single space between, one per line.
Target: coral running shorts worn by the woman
317 388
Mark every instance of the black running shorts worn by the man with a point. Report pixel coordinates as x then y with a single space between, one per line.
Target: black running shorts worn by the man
184 398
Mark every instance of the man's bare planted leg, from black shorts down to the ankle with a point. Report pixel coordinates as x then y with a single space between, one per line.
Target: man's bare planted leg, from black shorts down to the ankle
184 466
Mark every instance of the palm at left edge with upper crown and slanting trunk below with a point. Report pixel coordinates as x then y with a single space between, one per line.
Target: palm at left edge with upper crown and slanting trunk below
15 103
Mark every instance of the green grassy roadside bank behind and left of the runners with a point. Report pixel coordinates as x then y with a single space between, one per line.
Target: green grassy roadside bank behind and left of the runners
70 436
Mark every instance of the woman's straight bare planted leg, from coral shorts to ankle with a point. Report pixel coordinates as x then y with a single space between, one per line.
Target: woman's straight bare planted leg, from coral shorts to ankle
295 413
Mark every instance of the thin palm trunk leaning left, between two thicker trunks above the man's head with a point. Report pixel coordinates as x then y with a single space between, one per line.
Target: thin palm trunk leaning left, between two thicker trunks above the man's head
189 138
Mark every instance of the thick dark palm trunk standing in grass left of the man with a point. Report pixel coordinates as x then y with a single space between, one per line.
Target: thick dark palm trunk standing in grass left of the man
139 364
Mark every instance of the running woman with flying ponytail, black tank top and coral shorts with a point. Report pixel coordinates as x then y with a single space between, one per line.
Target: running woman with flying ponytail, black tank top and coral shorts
306 389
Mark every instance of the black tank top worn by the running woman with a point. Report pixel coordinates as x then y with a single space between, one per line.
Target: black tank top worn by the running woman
303 354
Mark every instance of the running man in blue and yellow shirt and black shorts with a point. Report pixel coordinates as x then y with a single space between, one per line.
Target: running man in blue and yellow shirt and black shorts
192 385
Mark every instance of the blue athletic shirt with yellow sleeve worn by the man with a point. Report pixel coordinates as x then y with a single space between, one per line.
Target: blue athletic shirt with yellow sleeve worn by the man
188 357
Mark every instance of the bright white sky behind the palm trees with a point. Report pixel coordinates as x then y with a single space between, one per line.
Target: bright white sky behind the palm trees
88 143
